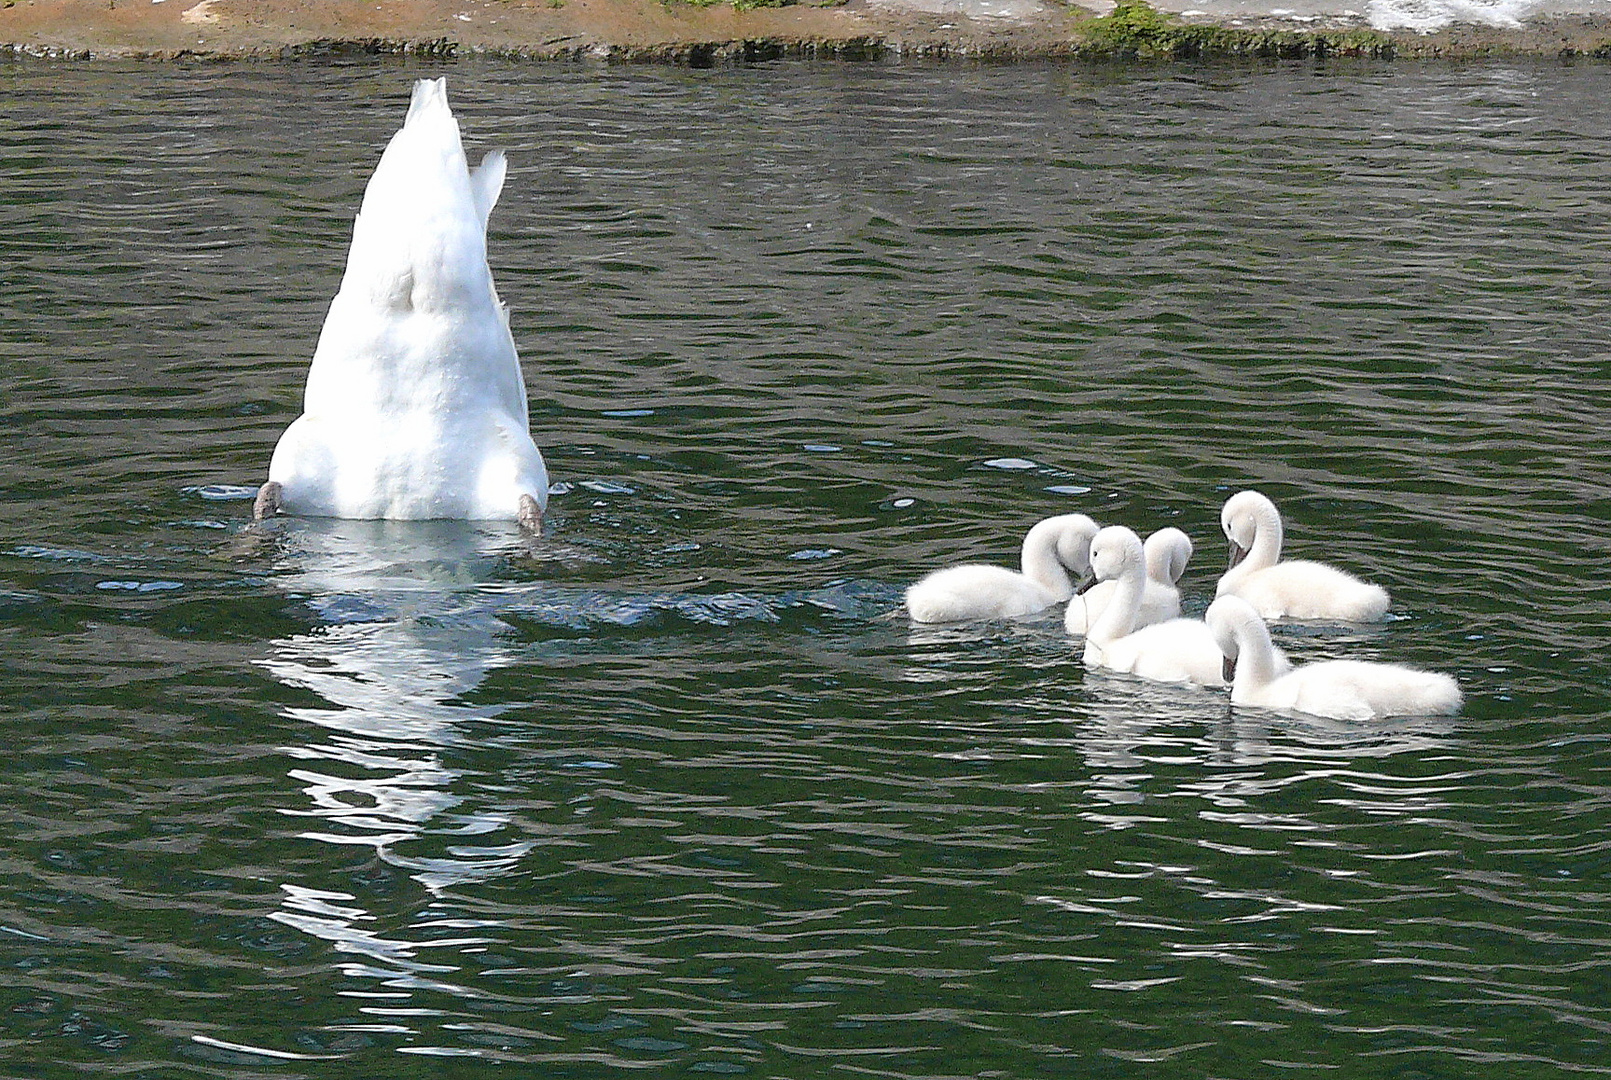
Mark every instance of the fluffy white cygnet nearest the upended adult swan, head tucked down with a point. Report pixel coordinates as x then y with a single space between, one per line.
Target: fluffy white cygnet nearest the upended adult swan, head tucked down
1054 554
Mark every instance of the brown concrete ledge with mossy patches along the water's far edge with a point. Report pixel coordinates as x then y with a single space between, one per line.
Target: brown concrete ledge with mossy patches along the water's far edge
674 31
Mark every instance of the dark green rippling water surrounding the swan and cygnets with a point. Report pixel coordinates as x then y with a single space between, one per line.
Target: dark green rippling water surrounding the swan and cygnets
671 792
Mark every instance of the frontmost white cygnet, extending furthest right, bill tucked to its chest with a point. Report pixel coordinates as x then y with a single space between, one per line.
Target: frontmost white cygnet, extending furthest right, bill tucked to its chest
1340 689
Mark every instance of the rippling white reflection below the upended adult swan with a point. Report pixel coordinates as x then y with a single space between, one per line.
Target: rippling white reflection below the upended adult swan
407 636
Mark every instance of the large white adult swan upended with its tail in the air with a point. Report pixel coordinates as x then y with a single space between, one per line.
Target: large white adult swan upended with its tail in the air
416 405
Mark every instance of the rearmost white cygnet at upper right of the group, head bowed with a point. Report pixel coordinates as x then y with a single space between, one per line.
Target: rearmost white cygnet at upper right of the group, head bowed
1296 589
